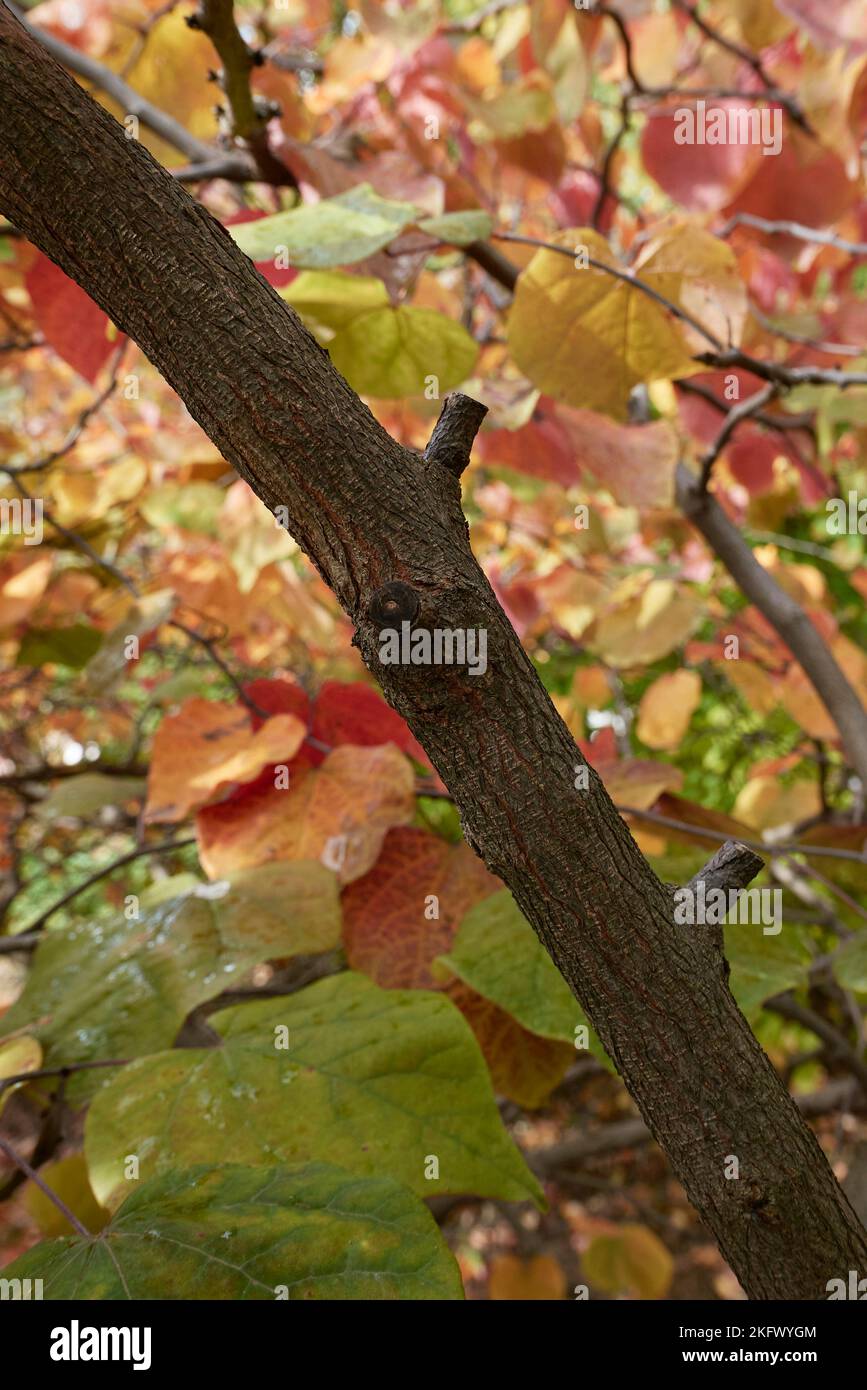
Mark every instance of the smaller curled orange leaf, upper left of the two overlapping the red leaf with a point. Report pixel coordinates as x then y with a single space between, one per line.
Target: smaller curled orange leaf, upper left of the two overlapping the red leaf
209 746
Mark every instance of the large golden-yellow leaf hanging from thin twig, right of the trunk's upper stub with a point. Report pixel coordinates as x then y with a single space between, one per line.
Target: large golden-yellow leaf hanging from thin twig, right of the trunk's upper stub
588 338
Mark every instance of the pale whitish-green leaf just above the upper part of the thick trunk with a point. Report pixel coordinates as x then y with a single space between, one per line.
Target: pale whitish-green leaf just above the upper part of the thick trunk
337 231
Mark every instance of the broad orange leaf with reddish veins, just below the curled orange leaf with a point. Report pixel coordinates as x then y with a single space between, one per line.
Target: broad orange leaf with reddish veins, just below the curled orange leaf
338 814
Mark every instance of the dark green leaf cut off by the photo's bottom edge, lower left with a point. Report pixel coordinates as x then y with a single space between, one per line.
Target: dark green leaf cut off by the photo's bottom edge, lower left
233 1232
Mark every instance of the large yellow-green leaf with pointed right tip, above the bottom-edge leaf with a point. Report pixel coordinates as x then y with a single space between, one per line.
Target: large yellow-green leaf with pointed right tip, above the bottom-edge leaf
377 1081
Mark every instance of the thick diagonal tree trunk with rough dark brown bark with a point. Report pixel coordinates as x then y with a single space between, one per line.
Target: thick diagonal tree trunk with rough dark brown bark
372 514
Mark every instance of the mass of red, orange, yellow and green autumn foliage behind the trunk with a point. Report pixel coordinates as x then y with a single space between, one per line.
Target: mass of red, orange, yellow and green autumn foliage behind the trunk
283 982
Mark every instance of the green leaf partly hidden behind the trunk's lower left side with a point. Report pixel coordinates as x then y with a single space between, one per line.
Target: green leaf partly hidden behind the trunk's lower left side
499 956
